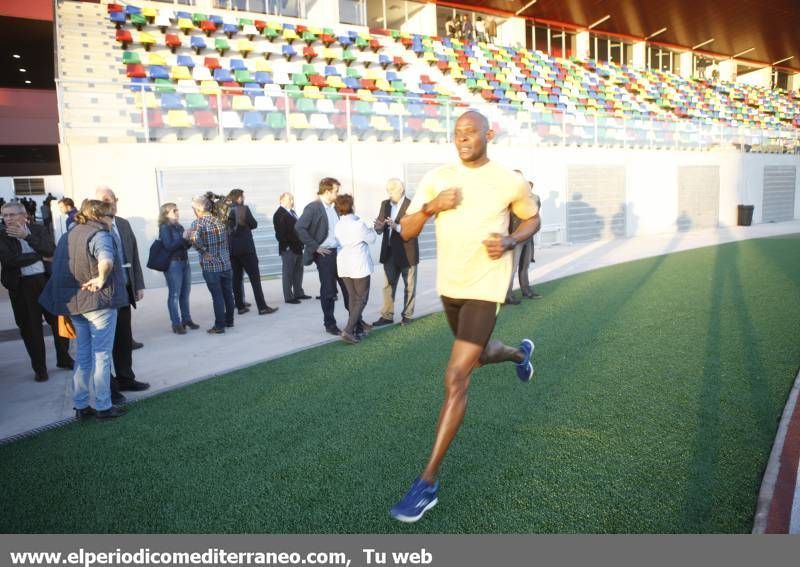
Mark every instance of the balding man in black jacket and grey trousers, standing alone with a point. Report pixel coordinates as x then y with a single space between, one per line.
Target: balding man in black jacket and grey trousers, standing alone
290 249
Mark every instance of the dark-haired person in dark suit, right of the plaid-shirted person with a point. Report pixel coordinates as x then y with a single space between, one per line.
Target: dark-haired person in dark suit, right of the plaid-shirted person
243 253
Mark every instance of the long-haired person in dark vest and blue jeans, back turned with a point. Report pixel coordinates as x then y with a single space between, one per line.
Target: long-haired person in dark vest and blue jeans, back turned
88 285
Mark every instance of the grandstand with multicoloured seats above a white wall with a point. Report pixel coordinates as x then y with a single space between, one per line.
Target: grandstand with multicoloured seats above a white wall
165 100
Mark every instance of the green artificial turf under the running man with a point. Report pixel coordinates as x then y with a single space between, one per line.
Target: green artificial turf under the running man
659 387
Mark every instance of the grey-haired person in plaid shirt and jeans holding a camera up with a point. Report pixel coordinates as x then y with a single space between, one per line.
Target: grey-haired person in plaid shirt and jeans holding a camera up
210 239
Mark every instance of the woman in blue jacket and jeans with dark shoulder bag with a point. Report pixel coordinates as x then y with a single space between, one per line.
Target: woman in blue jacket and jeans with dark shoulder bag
179 273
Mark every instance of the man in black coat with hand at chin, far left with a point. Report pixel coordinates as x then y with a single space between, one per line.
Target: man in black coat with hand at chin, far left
23 250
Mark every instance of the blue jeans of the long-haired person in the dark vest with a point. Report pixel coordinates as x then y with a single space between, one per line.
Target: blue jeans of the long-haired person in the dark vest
95 341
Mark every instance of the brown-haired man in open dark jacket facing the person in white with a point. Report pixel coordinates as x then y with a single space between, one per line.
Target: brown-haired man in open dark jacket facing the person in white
315 229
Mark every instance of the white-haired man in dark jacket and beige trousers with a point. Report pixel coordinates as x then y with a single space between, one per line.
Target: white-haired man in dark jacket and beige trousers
399 257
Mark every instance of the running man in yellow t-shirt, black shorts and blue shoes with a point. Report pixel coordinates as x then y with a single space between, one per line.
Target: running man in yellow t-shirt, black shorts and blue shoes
471 201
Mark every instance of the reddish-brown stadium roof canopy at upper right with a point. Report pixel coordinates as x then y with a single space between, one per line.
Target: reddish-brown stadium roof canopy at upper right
772 27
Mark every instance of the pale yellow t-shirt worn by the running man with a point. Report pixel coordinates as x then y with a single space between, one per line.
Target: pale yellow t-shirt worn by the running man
464 269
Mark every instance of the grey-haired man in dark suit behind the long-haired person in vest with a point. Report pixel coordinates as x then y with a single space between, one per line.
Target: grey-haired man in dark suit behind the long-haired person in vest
125 379
